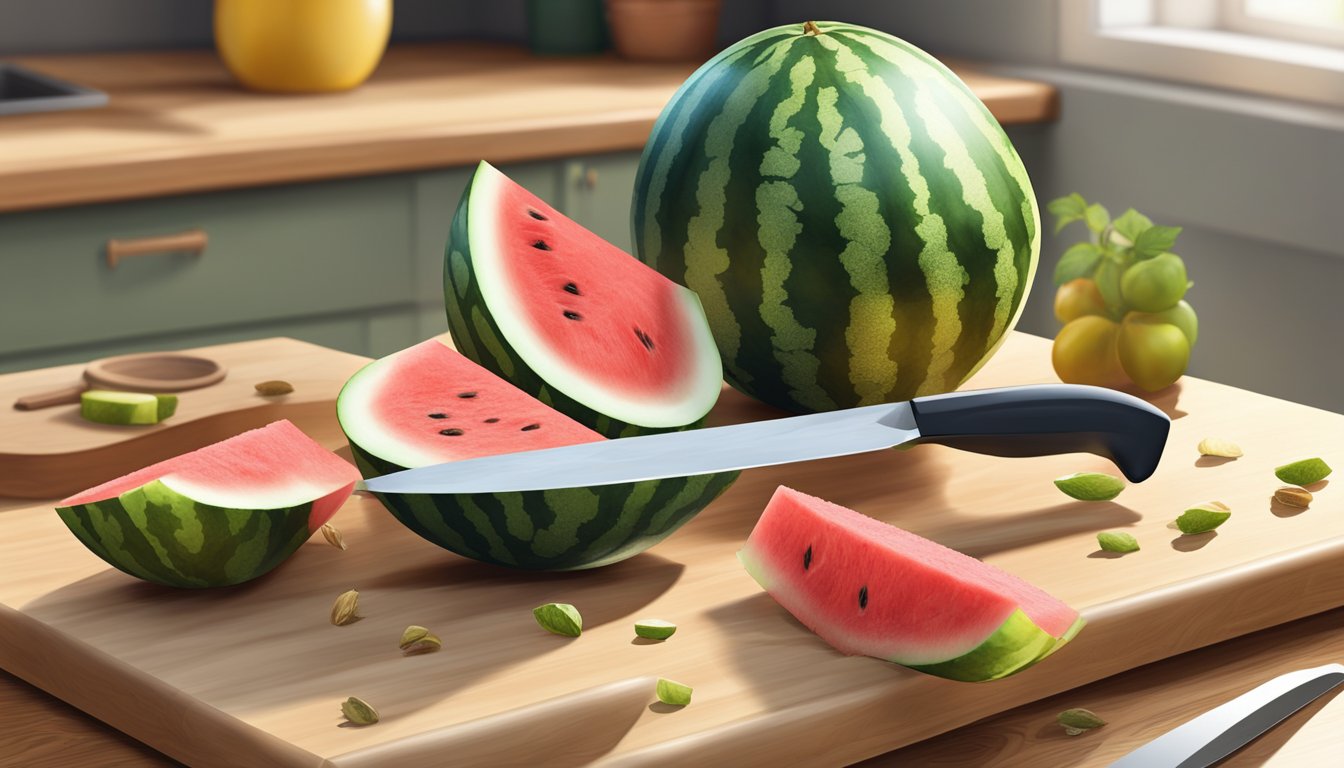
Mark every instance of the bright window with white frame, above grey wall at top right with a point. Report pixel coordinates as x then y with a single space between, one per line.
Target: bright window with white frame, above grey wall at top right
1290 49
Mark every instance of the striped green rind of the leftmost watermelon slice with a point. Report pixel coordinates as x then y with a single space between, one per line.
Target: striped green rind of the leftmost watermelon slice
161 536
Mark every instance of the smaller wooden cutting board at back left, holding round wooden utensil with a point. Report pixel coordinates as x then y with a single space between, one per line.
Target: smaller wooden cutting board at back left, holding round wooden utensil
54 453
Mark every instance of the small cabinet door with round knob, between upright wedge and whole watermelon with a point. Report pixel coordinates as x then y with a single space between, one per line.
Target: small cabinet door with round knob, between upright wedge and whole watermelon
597 194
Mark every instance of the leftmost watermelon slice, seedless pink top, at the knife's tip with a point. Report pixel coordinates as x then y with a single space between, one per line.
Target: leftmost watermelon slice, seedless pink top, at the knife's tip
220 516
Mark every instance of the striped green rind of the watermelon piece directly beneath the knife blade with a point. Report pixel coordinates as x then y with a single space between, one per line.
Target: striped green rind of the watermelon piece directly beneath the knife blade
568 529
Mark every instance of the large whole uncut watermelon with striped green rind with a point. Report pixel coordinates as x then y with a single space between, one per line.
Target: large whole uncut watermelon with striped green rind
857 225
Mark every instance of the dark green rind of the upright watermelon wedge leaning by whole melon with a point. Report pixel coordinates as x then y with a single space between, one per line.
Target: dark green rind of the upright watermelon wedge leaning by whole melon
478 336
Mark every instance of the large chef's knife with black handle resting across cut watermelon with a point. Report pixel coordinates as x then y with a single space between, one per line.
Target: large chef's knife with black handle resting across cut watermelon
1013 422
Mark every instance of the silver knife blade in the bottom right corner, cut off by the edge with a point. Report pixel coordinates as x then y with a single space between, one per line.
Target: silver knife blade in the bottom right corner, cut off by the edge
1226 728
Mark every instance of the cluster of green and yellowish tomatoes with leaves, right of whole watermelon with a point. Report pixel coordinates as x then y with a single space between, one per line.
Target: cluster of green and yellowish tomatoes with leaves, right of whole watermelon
1122 299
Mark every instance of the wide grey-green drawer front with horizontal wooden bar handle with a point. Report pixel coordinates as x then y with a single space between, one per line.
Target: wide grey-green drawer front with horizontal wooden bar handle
274 256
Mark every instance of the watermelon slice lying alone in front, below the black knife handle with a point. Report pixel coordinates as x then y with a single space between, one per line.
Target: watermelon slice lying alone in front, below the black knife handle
874 590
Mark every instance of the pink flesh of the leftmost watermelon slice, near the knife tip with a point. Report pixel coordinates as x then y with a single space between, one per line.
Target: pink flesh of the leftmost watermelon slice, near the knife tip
268 469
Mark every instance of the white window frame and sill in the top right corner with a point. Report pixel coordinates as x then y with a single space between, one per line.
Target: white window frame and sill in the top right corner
1185 42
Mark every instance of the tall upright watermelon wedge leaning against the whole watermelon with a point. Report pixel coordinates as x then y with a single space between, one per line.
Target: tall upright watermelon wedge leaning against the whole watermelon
572 319
